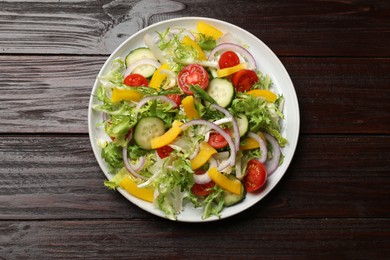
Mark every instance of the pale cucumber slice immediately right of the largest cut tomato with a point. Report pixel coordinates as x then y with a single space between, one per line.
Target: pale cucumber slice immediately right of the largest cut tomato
222 91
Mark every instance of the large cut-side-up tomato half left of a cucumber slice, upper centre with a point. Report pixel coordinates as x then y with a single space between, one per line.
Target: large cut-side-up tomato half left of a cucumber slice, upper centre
192 74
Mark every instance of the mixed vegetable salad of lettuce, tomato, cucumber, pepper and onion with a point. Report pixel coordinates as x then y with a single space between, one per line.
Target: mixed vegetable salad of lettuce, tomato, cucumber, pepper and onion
190 119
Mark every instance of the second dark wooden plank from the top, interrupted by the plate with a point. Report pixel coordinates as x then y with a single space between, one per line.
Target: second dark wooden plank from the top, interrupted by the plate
50 94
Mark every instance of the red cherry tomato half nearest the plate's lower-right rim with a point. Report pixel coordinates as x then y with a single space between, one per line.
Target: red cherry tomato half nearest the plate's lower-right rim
256 175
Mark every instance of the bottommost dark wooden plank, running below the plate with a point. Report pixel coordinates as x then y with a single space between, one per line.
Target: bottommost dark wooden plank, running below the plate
230 239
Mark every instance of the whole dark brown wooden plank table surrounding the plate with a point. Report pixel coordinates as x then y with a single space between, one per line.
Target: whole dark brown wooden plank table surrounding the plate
332 202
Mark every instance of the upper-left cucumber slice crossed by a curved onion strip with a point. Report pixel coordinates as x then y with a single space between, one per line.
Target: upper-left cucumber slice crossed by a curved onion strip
139 54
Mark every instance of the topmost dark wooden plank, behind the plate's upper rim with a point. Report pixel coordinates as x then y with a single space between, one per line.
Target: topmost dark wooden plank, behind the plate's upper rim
303 28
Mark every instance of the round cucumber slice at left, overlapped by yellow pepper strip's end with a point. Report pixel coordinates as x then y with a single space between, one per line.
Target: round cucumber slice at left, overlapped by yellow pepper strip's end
146 129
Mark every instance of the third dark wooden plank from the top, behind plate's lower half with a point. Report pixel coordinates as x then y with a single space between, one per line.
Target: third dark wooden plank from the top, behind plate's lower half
57 177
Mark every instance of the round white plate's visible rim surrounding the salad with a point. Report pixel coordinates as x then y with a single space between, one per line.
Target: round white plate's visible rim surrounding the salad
267 62
